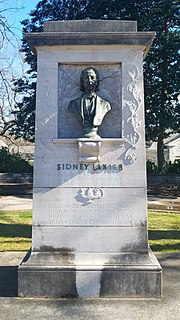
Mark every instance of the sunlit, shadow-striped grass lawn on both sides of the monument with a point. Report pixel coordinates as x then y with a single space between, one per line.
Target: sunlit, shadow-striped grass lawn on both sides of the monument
15 231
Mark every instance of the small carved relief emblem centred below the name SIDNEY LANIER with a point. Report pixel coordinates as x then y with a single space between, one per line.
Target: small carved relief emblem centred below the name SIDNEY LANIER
88 195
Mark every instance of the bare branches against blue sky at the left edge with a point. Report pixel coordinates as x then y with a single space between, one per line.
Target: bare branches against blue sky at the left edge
9 57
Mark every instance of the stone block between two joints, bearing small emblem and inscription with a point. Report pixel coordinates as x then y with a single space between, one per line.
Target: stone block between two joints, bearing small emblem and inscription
89 207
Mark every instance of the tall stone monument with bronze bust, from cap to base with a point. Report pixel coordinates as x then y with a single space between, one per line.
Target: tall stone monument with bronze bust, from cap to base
89 233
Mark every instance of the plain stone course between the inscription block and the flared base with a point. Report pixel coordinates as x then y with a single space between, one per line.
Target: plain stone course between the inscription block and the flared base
90 239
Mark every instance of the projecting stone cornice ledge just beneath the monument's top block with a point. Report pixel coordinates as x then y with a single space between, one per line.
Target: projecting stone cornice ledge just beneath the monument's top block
144 39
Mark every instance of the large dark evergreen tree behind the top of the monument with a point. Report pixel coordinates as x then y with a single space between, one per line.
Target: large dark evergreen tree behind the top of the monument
161 65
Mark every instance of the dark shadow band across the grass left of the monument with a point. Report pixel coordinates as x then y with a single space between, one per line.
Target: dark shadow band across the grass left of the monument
15 230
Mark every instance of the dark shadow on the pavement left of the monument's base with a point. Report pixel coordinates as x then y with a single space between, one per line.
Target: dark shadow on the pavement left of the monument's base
9 281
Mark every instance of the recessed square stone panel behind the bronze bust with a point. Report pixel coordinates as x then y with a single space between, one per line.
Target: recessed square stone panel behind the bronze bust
69 89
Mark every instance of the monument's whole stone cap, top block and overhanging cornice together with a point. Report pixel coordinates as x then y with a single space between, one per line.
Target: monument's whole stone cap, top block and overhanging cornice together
91 32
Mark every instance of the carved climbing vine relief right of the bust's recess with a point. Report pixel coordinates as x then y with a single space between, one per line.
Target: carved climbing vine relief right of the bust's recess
131 121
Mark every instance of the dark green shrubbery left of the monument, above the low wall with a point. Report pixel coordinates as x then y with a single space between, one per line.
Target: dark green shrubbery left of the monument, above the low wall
10 163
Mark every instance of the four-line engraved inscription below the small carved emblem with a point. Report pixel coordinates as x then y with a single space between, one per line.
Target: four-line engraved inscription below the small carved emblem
117 213
